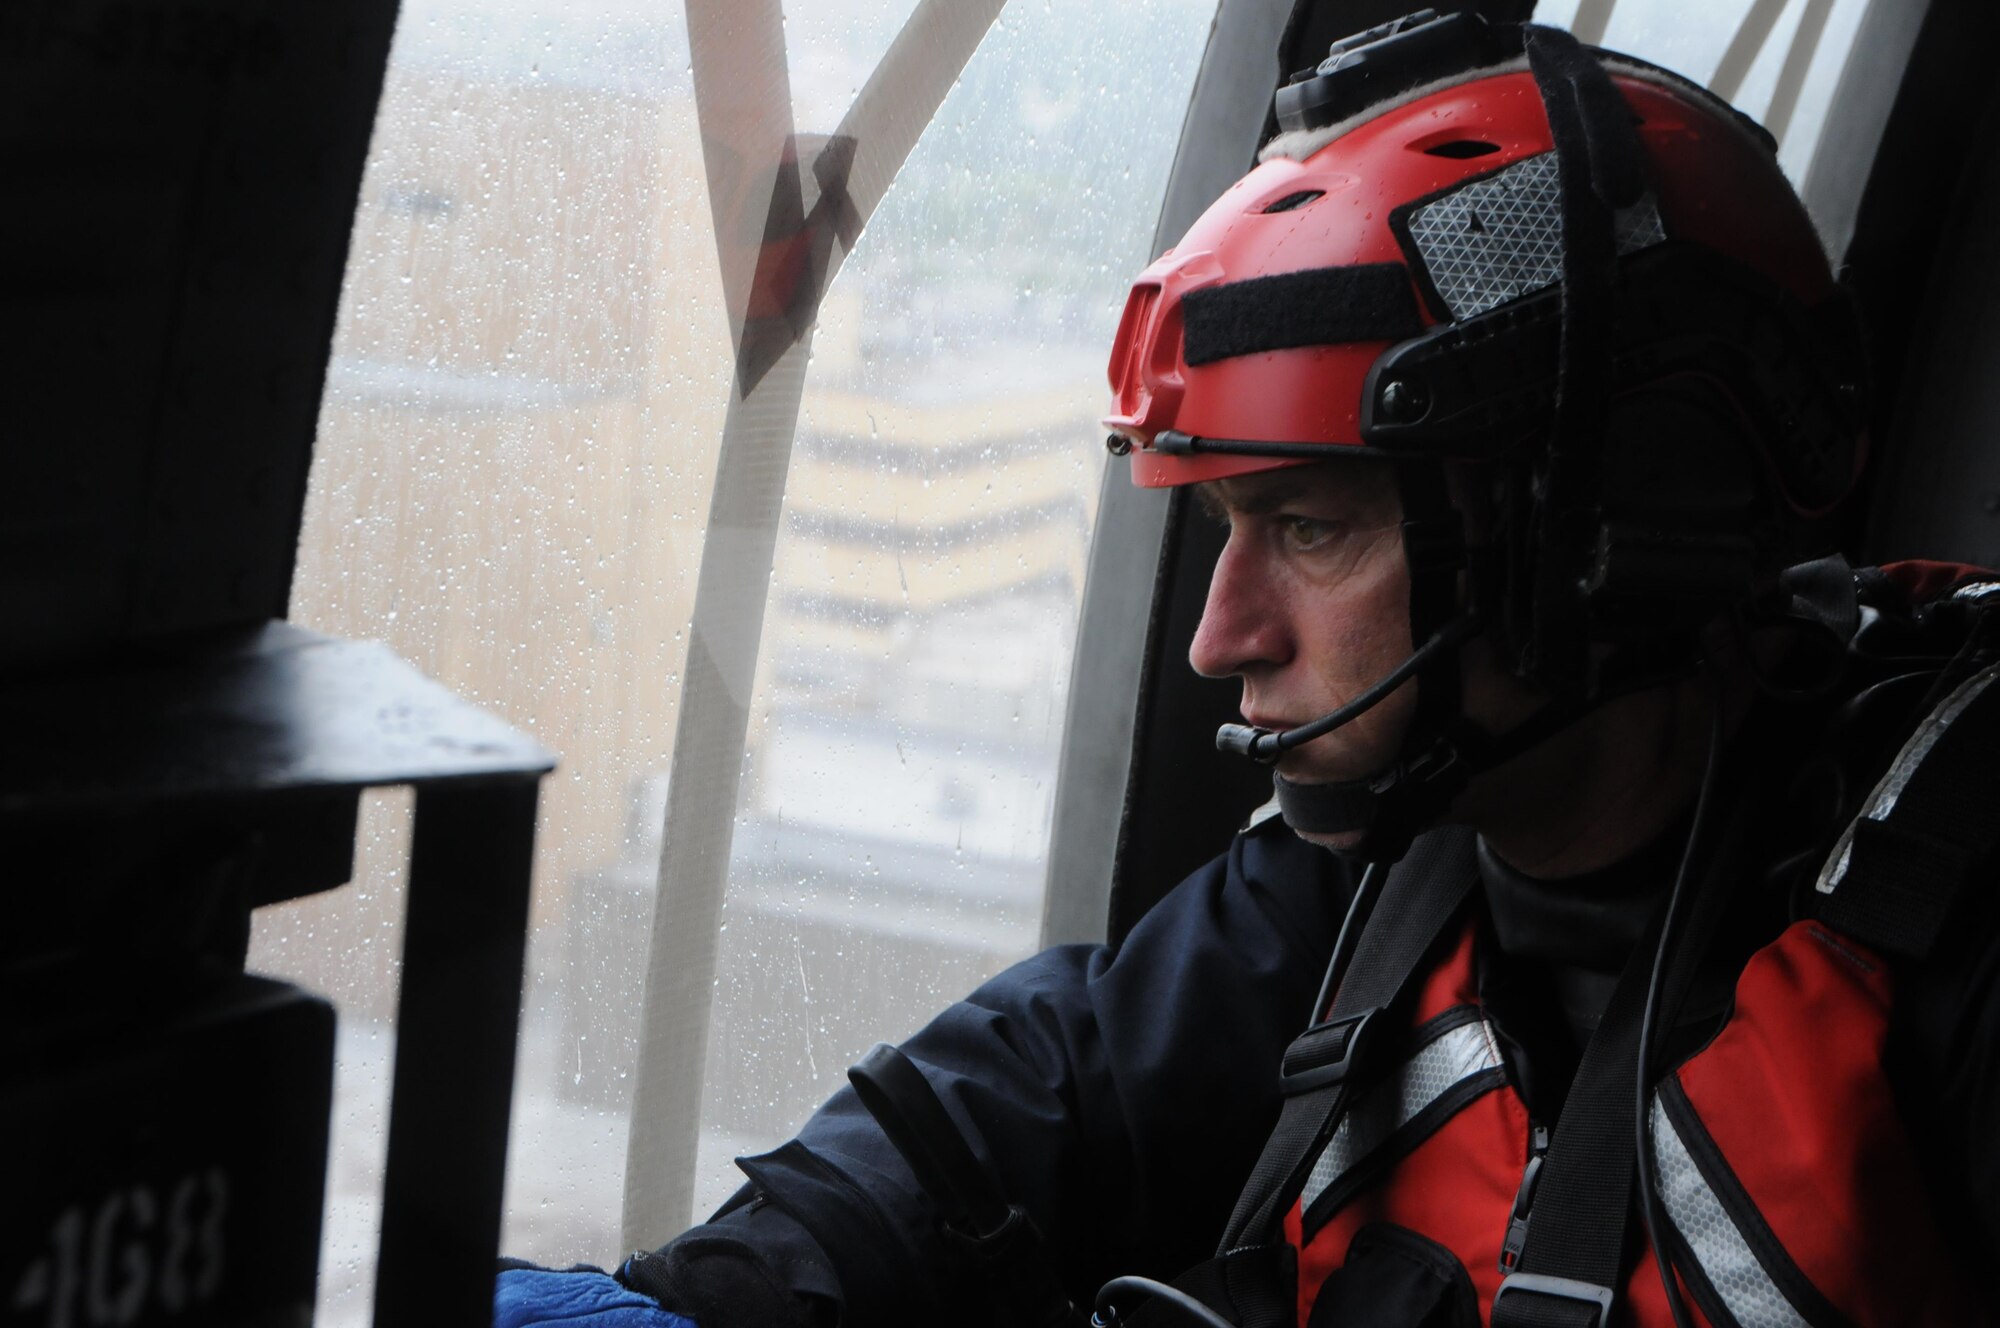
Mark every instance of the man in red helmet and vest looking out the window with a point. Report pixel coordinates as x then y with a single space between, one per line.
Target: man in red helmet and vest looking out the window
1661 965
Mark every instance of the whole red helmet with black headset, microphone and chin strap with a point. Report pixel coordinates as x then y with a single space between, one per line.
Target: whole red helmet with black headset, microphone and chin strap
1487 243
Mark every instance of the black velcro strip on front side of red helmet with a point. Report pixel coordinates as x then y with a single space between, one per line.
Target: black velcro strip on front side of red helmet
1321 307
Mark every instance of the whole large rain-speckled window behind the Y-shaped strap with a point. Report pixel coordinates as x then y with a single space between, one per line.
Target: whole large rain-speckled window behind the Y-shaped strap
511 487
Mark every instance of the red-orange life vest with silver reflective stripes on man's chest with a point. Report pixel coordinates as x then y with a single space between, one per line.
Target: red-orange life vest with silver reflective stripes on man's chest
1783 1163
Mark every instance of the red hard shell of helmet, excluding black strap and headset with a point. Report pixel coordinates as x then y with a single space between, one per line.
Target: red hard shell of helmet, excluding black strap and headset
1437 207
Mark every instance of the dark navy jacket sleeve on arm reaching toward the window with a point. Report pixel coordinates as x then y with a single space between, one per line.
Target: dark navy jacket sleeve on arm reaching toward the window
1121 1097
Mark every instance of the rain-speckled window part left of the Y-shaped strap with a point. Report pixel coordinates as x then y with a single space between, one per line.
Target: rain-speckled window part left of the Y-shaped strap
509 485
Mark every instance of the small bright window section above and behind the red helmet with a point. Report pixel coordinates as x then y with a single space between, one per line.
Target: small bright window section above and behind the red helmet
1779 61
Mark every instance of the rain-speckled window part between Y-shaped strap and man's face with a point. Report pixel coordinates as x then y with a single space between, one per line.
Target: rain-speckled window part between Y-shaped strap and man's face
907 721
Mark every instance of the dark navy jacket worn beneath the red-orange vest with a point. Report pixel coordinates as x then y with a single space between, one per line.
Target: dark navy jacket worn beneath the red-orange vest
1125 1095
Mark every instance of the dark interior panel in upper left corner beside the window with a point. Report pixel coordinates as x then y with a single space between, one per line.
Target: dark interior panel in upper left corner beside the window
171 259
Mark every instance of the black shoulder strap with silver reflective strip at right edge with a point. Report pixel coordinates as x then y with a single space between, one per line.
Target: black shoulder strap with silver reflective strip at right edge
1925 829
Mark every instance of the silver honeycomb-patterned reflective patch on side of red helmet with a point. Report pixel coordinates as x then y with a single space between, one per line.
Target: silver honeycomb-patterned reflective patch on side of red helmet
1501 237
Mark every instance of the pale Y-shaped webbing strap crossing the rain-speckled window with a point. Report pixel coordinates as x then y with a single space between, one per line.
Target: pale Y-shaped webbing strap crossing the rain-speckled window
763 227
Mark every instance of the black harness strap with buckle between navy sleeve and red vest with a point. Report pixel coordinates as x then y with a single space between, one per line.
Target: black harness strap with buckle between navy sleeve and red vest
1417 903
